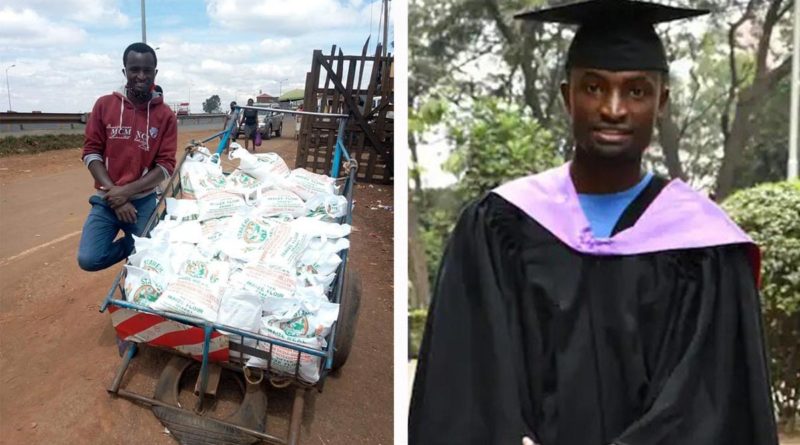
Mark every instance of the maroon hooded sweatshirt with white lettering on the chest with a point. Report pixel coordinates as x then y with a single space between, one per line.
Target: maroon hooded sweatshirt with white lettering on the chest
131 139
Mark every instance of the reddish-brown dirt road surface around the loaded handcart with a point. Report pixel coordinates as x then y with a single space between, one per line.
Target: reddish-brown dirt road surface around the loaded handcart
58 353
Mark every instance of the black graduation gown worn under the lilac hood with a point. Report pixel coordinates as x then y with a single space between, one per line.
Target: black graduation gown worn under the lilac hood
528 337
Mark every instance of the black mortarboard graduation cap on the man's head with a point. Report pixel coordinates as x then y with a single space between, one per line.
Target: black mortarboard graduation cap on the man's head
614 35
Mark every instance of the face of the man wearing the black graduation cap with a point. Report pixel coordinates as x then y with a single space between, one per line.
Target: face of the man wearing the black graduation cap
613 112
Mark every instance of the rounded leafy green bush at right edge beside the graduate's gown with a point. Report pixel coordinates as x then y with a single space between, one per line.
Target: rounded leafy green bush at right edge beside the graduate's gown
770 214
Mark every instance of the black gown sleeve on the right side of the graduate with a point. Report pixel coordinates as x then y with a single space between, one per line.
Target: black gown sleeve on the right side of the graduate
716 390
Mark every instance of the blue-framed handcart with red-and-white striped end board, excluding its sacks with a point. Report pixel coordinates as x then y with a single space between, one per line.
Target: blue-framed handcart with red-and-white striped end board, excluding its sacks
249 423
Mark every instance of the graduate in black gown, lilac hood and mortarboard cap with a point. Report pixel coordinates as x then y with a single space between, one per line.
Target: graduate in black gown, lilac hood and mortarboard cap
595 304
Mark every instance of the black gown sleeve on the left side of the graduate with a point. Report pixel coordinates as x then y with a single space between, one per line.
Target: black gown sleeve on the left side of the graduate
467 388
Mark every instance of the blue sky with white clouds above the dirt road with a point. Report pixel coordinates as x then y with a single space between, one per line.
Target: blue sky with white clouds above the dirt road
69 52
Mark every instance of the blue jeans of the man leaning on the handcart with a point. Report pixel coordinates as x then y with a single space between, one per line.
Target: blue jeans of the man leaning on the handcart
98 250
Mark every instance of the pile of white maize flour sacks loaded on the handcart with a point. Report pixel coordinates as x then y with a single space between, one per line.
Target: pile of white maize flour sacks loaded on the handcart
256 250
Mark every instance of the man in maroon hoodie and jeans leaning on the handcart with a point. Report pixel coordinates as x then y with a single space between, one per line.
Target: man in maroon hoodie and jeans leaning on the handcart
130 145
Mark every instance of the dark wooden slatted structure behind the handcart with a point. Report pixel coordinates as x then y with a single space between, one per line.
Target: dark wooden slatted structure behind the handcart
334 85
